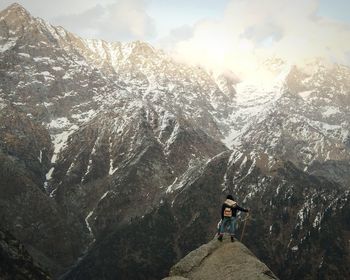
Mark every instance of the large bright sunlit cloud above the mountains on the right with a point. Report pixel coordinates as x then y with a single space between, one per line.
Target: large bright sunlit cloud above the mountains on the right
252 30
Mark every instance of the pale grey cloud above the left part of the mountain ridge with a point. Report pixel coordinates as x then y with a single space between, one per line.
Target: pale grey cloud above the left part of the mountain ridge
121 20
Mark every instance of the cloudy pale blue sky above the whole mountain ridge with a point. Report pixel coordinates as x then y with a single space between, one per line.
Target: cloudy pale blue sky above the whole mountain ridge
218 33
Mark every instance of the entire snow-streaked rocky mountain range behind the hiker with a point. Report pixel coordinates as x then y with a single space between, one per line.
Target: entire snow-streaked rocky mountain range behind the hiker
115 158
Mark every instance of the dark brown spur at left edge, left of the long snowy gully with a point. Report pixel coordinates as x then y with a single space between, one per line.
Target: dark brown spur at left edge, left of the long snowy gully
26 210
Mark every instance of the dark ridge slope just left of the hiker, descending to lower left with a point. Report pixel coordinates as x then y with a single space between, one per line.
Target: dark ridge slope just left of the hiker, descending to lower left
148 246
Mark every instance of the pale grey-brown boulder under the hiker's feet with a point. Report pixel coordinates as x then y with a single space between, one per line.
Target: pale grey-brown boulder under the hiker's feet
216 260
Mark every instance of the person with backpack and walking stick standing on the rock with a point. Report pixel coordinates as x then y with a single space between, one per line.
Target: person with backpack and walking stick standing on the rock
228 216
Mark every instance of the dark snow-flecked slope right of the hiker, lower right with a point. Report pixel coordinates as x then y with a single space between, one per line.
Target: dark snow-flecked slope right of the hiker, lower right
294 213
